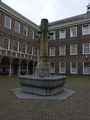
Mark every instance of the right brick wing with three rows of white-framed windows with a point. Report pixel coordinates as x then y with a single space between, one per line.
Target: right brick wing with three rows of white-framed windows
70 47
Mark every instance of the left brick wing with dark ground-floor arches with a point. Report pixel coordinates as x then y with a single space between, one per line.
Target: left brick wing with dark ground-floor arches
17 42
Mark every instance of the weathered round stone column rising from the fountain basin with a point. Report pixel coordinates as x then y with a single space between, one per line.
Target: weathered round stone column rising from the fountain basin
44 69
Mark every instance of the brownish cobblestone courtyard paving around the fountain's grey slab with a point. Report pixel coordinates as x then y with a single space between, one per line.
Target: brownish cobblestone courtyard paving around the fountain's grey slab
76 107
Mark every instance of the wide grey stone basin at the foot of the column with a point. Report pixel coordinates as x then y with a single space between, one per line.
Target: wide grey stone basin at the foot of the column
45 86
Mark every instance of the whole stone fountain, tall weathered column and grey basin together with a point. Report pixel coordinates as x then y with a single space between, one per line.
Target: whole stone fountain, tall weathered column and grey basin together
43 83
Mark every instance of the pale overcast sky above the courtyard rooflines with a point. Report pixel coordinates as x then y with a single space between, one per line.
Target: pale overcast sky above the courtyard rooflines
53 10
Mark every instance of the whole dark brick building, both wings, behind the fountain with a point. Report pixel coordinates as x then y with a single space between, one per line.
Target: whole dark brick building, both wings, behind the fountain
69 47
